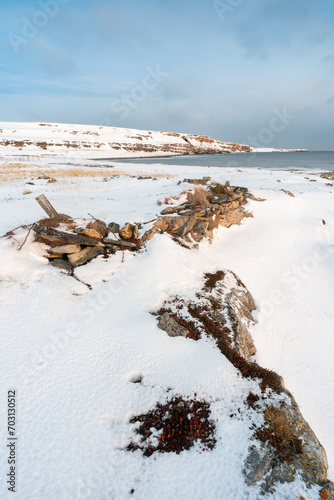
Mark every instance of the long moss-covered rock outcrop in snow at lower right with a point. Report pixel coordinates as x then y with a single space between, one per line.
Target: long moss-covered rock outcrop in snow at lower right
285 446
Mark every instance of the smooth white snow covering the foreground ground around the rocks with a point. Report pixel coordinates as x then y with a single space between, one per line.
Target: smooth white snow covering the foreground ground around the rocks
71 353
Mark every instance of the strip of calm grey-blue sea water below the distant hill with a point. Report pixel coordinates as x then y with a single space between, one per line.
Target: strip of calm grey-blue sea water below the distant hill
318 160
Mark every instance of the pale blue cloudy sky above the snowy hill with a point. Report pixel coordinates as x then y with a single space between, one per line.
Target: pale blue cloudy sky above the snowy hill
258 72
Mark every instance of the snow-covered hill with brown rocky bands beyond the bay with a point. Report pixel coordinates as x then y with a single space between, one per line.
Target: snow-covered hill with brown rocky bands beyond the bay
90 142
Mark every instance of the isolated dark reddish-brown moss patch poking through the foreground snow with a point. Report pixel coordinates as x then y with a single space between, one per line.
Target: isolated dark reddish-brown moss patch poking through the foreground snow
182 422
